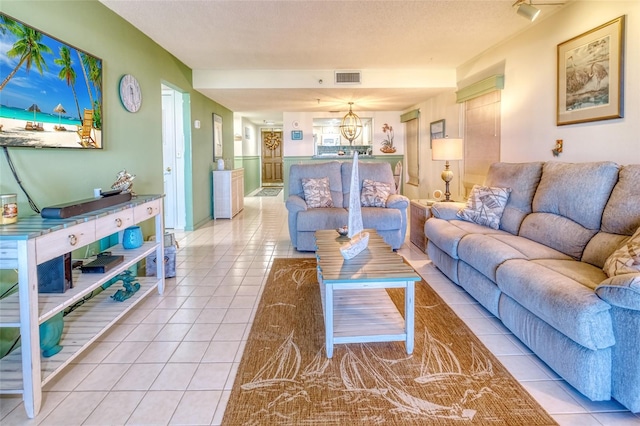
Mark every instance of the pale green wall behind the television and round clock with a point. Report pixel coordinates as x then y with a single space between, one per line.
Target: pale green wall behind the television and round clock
131 141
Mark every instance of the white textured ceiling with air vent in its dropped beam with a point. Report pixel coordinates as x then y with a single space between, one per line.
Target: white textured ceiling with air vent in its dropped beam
228 36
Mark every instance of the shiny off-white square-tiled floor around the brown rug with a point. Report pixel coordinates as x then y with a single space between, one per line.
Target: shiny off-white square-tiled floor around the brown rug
173 359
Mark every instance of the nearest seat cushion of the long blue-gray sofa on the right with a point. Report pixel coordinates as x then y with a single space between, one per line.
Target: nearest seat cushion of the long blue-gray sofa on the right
561 293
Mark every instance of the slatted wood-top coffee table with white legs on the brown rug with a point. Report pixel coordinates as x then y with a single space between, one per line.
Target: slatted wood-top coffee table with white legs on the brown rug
356 305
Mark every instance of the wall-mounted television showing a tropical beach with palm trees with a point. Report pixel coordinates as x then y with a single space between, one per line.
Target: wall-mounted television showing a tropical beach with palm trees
50 92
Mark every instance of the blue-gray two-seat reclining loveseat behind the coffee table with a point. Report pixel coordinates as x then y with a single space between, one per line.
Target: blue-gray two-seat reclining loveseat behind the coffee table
389 221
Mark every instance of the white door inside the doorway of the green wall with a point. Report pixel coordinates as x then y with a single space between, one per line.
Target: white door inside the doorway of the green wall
173 167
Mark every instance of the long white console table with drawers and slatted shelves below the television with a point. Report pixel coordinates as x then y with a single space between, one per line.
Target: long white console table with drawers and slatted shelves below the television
32 241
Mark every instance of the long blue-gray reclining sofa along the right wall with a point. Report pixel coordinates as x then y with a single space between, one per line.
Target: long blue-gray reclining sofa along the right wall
541 273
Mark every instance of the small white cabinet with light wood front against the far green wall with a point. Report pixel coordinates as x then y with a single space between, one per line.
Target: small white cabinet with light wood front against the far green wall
228 193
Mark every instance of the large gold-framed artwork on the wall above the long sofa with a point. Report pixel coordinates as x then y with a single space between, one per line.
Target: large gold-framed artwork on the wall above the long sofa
590 75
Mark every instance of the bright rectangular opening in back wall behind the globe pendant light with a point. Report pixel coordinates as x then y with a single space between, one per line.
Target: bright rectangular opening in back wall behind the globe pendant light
328 140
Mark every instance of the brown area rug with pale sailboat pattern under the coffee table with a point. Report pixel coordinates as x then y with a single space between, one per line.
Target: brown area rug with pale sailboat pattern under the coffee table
285 378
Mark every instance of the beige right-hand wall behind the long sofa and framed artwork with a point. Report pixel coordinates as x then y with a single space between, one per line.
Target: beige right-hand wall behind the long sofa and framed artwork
528 124
